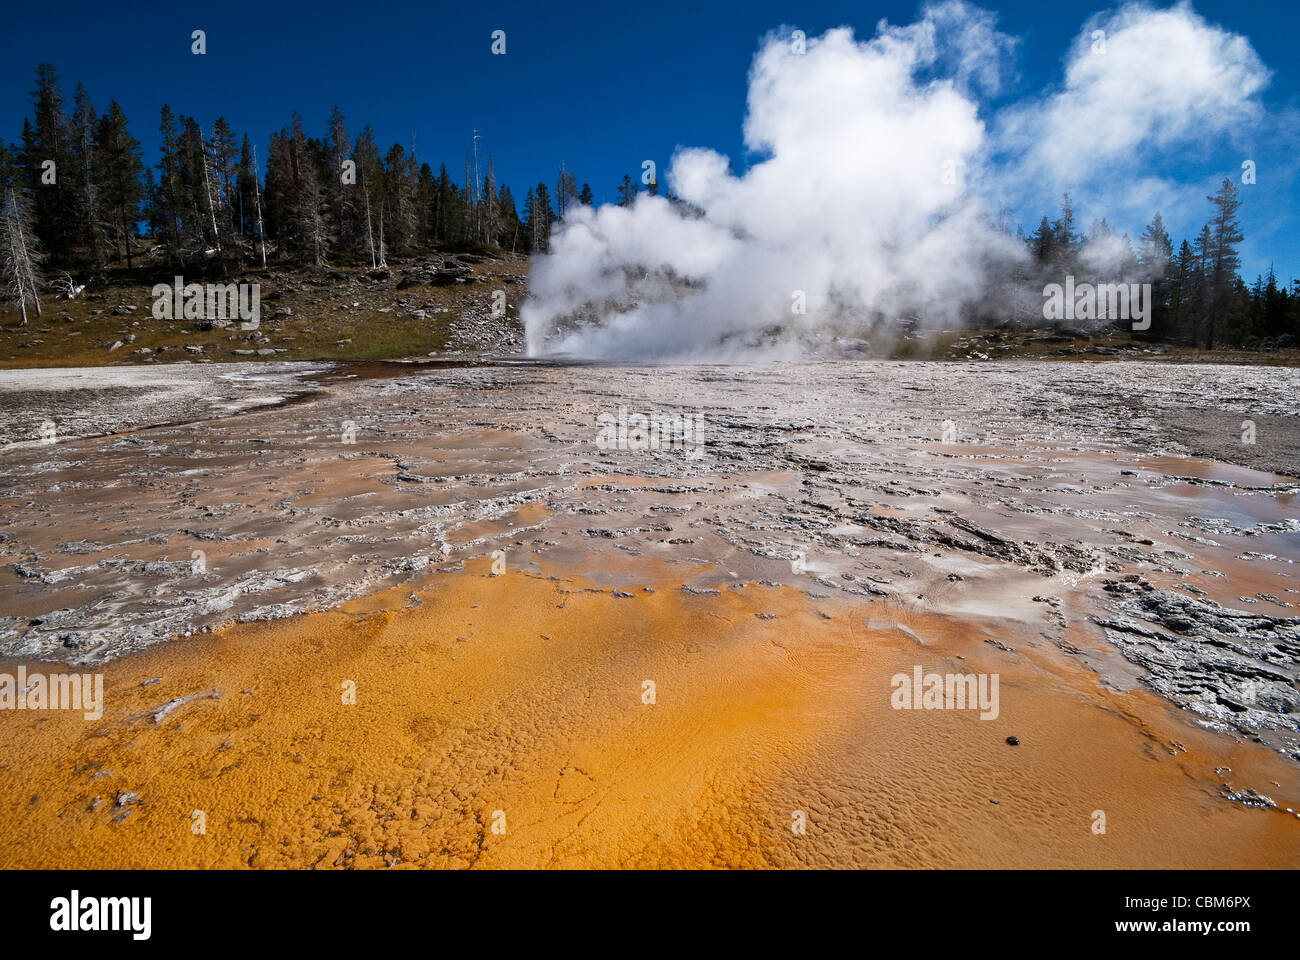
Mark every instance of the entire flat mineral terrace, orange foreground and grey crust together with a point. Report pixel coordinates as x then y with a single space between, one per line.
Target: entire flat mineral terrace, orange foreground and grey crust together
1039 521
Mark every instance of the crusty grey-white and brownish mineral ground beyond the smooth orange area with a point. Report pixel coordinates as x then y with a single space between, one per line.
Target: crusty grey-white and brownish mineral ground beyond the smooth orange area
954 488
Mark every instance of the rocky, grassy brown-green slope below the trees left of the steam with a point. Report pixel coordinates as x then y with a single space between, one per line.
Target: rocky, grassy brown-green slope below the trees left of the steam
309 314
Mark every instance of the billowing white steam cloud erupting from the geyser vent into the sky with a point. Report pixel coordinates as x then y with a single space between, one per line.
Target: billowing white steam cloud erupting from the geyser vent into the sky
876 204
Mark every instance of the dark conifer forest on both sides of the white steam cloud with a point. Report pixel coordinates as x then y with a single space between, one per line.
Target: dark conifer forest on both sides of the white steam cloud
76 194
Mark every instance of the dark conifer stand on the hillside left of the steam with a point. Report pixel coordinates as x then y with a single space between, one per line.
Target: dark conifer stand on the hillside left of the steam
79 192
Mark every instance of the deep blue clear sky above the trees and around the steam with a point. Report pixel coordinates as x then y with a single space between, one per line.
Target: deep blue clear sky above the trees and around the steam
601 88
